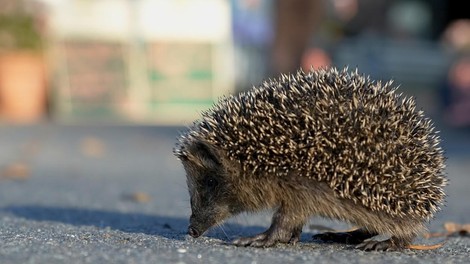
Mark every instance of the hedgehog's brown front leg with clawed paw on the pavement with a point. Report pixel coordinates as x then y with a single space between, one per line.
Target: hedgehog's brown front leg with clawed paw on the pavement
284 229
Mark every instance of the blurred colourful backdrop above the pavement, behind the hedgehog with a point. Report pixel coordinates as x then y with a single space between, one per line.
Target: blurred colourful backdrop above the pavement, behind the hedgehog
163 62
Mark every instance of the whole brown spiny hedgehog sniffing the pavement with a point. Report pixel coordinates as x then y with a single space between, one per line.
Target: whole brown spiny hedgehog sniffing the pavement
326 142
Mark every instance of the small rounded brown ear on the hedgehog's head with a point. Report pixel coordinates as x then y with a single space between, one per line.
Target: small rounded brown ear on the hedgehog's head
203 155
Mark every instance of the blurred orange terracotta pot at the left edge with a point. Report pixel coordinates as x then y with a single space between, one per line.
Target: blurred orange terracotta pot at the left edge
22 87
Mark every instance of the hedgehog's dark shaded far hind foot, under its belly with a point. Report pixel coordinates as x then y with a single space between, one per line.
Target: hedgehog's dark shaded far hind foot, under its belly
353 237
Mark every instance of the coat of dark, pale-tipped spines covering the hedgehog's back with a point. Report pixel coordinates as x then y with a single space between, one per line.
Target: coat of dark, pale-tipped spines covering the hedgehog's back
362 137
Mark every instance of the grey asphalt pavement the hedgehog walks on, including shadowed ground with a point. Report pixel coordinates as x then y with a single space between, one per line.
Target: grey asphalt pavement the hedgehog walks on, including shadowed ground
116 194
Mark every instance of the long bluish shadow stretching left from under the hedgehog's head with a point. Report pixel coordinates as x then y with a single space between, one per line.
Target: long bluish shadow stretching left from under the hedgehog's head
165 226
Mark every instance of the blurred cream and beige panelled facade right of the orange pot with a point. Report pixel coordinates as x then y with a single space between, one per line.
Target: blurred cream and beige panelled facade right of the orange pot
143 61
